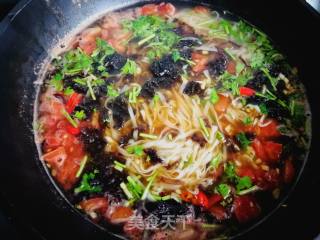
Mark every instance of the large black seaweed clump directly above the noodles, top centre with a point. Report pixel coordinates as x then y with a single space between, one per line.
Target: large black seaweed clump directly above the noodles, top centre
166 67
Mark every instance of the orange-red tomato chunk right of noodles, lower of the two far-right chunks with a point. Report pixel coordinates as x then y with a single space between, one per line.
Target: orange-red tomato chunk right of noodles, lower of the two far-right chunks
267 151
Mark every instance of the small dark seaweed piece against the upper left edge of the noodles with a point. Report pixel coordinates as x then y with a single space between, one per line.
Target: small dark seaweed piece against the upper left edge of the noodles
119 108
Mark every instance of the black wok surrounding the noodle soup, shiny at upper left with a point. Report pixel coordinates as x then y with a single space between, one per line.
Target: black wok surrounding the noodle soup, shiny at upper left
33 28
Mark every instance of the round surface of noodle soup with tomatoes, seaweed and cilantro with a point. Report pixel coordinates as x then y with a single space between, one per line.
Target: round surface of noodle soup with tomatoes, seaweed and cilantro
172 123
